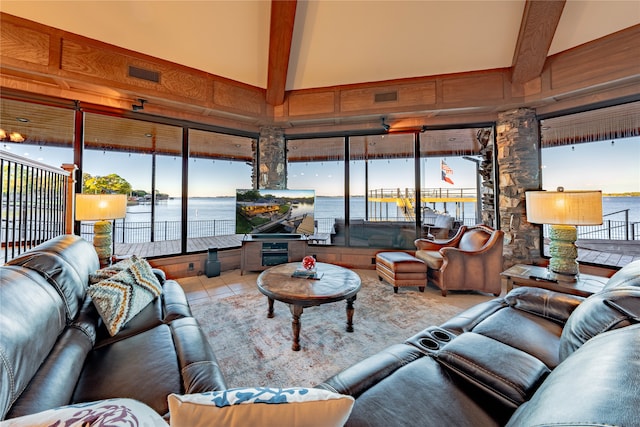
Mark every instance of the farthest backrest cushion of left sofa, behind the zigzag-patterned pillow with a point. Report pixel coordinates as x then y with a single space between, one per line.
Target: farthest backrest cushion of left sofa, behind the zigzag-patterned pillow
66 262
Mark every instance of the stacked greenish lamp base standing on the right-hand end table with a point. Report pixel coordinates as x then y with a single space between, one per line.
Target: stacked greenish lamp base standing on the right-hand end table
563 251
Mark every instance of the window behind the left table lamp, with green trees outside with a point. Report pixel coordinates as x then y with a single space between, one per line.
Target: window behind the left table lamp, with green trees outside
142 160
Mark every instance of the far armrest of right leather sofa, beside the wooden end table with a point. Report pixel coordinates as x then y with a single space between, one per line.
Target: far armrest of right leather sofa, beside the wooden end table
555 306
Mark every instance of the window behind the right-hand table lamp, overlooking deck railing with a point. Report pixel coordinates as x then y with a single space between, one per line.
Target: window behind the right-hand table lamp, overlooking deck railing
598 150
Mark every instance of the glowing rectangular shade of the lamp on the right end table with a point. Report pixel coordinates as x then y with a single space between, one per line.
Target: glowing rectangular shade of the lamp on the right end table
564 207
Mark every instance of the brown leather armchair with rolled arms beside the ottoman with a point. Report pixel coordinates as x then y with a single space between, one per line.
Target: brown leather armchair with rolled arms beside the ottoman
470 260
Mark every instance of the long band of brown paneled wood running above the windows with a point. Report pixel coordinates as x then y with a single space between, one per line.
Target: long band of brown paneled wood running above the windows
43 60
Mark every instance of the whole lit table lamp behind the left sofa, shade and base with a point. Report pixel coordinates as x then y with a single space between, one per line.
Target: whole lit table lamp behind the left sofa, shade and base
102 208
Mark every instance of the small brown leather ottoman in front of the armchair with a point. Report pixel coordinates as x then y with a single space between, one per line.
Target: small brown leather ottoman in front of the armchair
401 269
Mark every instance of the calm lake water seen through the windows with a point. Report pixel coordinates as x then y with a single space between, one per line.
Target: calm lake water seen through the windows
332 207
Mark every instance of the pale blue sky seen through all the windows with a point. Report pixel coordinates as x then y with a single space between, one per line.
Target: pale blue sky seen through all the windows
610 167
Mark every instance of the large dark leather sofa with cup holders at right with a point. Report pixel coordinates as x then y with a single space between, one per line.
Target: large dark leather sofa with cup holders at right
533 358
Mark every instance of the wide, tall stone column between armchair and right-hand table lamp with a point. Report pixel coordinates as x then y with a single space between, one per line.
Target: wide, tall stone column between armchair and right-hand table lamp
518 171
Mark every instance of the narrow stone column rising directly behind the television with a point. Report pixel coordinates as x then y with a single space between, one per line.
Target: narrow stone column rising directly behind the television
271 166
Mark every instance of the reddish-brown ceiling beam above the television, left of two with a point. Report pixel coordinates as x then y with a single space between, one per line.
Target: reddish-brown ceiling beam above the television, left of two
283 14
